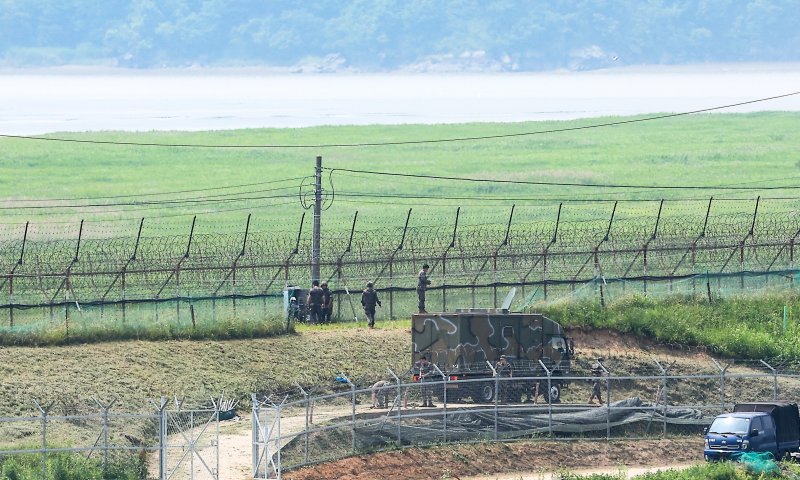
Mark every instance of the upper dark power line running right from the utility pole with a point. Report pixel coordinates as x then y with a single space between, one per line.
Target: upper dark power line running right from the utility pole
565 184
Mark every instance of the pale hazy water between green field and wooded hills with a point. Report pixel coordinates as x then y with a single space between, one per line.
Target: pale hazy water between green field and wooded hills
81 100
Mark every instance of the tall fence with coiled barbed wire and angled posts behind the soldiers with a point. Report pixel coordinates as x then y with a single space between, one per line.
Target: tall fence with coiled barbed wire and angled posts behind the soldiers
703 247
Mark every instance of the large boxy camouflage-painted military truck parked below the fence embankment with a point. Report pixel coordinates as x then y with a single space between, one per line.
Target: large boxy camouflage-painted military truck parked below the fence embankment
464 344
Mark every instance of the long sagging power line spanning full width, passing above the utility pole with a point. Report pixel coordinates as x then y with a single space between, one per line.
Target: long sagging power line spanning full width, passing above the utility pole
406 142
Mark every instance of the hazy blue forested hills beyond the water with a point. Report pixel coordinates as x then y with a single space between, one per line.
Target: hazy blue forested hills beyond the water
388 35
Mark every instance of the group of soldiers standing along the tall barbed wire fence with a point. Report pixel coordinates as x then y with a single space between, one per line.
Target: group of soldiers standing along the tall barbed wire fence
319 300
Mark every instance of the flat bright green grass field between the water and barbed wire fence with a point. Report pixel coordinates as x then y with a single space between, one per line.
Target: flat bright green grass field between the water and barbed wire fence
753 150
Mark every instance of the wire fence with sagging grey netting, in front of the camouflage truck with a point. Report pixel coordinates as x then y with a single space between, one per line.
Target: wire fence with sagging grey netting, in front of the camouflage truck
654 399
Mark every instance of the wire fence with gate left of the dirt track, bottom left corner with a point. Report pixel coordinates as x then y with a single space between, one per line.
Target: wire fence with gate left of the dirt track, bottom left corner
181 439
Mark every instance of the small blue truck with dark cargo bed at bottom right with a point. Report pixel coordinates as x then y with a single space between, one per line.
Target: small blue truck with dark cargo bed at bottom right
772 427
